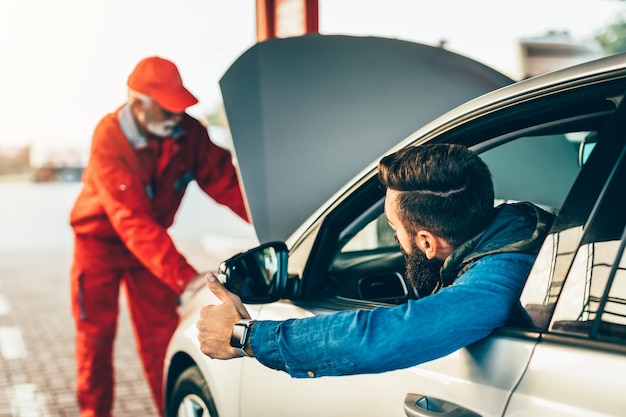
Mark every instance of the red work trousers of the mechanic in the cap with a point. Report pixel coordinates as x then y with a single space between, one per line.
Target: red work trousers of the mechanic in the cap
99 270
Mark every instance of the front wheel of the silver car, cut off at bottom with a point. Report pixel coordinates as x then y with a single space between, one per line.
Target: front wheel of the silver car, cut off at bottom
191 396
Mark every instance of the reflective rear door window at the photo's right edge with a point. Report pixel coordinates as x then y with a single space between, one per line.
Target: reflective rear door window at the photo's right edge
593 299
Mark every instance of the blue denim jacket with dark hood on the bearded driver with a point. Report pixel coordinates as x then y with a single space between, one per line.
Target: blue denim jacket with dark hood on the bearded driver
483 280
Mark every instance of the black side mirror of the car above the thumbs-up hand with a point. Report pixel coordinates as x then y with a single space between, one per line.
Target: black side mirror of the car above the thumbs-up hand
258 275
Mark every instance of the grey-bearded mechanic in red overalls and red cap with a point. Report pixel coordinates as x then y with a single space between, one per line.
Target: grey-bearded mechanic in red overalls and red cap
143 155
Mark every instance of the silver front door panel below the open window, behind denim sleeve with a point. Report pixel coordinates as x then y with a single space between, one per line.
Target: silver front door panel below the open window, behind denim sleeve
475 376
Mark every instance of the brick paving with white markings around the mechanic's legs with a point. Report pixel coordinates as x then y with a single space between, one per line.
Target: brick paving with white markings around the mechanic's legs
37 378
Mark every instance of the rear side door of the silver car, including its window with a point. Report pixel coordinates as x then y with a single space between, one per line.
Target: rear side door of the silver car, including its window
579 300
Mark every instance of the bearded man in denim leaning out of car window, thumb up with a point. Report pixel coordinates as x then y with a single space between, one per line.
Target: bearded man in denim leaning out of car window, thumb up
468 259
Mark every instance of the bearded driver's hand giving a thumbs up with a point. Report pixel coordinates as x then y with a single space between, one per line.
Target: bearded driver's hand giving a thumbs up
216 321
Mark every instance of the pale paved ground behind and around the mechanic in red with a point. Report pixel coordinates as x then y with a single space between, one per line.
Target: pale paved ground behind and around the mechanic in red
37 363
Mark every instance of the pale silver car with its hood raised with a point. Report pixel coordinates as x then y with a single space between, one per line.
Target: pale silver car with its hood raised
558 140
